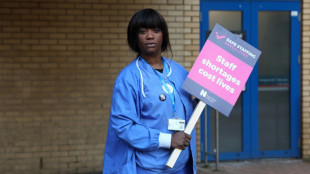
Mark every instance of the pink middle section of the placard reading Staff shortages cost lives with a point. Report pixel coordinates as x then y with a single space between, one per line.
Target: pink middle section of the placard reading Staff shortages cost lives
220 72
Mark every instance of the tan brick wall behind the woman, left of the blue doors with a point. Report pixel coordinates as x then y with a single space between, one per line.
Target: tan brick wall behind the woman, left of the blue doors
58 63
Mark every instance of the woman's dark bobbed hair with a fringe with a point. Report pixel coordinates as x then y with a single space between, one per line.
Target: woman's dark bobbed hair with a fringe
147 18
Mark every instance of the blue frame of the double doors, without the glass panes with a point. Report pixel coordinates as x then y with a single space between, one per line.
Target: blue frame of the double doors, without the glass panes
250 11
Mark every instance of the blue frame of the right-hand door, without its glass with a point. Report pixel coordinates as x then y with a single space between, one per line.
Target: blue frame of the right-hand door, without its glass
293 7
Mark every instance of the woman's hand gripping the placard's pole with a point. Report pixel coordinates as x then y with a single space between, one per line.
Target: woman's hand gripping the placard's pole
180 140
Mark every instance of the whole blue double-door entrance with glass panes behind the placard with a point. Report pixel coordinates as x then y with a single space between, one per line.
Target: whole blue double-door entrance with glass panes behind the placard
265 121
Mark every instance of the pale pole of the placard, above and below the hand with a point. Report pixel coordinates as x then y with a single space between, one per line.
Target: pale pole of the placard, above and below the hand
189 127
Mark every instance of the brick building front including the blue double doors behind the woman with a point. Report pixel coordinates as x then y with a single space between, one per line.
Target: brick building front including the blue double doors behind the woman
59 60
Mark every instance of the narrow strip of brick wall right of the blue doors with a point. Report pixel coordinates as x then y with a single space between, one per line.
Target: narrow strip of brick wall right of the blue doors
305 51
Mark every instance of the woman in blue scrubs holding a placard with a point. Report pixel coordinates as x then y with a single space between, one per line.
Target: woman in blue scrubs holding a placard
149 108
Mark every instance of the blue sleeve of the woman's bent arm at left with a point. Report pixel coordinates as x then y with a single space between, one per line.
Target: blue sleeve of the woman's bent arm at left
125 119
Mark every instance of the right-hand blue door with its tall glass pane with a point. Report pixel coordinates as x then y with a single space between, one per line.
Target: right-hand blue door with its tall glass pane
278 80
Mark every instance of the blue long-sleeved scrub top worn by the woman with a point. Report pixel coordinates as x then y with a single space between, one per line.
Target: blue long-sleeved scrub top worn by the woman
138 116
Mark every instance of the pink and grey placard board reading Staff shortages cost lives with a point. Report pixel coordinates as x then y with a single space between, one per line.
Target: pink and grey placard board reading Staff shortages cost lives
221 70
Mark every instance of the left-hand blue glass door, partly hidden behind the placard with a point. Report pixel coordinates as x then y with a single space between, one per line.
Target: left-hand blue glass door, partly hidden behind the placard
233 138
